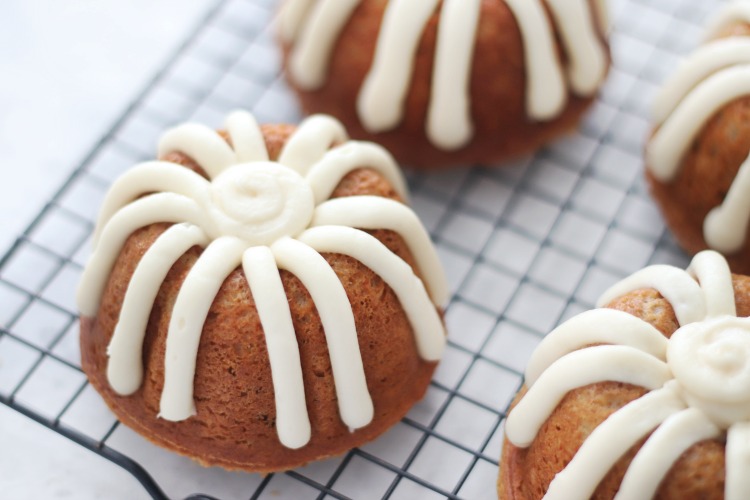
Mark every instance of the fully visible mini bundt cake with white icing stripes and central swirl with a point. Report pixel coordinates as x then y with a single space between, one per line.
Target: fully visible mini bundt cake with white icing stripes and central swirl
261 297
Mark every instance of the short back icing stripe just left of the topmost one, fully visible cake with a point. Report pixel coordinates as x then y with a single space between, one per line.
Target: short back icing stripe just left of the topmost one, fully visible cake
202 144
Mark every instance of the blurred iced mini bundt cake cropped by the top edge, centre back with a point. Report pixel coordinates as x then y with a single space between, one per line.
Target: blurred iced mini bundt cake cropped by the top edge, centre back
451 82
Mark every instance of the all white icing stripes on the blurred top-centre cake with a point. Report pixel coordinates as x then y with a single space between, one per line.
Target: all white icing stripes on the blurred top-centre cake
313 33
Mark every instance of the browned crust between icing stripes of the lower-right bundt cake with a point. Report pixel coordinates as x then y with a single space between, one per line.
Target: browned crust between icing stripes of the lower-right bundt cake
525 474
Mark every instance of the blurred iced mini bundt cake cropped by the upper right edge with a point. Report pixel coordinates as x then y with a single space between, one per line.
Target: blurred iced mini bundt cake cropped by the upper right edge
697 161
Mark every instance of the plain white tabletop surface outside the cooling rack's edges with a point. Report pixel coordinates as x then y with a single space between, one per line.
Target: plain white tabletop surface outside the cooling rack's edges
67 71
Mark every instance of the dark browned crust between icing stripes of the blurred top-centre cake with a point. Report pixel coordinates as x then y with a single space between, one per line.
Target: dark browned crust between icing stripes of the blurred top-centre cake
502 129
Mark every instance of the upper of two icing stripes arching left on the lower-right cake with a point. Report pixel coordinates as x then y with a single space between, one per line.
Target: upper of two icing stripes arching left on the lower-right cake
585 329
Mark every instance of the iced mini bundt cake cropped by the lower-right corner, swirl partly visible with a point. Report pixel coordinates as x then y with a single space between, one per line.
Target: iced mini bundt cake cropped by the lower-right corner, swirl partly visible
648 397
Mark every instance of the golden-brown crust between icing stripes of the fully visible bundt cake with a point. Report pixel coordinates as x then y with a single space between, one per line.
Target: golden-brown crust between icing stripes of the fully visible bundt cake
234 396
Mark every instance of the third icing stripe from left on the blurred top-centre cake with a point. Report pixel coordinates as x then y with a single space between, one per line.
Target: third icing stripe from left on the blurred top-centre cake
381 99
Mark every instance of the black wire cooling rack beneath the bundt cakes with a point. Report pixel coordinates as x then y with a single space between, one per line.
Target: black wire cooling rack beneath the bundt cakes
525 247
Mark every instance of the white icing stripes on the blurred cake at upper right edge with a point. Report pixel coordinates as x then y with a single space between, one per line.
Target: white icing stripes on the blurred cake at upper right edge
712 77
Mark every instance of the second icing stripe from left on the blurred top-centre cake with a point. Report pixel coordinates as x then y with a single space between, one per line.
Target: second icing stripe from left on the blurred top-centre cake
309 61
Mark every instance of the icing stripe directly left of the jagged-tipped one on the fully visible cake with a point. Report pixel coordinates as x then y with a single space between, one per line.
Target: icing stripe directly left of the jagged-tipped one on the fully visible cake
125 365
